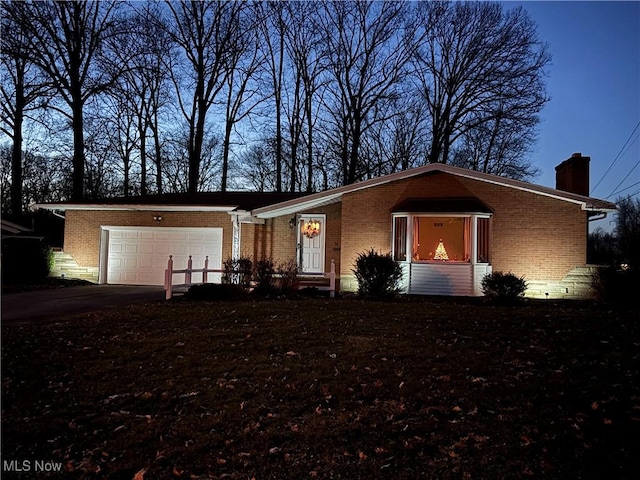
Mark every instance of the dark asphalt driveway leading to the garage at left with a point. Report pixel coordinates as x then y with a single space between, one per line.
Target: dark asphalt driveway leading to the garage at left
41 305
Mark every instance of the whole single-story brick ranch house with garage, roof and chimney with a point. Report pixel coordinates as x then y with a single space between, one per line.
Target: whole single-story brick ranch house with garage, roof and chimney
447 226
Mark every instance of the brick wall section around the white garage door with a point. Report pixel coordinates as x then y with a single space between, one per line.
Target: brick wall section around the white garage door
82 228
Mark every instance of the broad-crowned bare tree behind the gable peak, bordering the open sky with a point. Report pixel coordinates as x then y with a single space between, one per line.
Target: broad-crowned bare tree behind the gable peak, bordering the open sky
476 64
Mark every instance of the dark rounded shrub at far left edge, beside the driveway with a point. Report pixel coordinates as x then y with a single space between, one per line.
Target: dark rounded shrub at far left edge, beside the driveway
25 260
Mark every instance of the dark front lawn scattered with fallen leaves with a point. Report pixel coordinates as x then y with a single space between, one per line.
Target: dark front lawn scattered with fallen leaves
327 389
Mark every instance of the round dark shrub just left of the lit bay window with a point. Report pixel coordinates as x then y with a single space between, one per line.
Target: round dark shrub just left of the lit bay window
378 274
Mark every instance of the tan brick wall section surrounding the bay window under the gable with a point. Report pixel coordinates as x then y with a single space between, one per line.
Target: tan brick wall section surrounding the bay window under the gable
539 237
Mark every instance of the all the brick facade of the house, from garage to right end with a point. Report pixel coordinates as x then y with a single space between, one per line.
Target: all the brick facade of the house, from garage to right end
539 237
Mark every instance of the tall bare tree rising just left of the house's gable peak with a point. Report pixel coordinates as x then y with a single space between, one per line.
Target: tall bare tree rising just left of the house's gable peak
367 60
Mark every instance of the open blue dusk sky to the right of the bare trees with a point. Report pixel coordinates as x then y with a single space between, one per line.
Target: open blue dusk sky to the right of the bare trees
594 85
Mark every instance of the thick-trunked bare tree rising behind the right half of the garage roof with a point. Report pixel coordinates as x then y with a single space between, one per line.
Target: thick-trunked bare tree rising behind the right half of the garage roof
206 32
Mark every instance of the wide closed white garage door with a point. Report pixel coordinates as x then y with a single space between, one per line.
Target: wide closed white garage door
138 256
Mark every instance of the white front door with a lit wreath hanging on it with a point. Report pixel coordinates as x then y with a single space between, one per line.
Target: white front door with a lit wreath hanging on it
311 241
